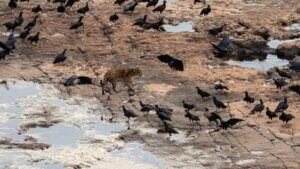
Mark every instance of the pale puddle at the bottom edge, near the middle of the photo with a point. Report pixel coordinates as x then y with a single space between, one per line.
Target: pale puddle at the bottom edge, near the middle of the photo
133 152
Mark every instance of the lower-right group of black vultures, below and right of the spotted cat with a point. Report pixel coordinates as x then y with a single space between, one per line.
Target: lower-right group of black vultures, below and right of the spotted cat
165 114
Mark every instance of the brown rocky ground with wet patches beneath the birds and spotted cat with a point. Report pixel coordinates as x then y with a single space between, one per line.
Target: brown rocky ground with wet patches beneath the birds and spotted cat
44 124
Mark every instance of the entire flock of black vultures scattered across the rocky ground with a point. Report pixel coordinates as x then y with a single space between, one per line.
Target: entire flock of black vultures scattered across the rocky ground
164 114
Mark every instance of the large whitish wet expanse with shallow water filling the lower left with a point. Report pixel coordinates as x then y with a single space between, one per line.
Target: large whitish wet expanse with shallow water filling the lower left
72 126
